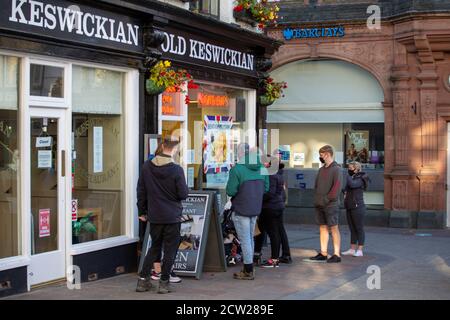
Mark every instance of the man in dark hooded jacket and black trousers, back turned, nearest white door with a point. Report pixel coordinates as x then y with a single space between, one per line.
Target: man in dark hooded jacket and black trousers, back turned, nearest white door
161 188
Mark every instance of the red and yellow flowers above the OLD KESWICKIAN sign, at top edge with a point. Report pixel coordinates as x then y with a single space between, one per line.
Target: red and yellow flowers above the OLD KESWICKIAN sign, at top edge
262 12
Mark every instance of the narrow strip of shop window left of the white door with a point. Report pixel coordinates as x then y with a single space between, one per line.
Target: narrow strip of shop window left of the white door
9 157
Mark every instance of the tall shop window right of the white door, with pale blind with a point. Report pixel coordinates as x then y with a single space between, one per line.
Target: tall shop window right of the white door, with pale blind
97 153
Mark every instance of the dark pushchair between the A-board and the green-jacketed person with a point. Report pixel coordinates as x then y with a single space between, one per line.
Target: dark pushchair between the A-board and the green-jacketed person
233 252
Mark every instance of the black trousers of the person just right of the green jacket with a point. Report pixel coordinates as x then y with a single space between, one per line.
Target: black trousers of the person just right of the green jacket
271 222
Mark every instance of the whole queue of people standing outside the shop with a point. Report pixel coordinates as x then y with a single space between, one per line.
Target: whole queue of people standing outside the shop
258 196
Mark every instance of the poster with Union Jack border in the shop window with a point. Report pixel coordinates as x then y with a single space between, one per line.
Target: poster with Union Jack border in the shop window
217 153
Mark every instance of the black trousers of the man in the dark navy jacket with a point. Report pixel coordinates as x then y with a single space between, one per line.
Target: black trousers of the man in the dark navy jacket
164 237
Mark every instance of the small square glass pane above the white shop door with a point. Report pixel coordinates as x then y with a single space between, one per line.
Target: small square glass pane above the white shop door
46 81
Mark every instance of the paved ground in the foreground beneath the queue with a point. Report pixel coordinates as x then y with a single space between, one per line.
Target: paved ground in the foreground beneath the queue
412 264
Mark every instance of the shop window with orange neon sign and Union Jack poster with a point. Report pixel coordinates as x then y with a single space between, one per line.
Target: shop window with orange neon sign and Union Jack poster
217 124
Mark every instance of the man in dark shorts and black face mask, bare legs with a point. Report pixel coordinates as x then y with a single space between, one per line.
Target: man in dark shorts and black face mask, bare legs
326 202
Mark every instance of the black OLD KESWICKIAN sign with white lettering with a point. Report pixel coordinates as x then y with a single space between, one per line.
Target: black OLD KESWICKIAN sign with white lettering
186 47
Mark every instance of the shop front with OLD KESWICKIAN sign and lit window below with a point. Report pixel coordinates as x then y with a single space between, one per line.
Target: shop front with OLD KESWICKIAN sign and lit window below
218 111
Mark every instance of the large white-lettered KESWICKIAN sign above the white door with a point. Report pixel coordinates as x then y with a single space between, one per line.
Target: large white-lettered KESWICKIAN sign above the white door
70 21
